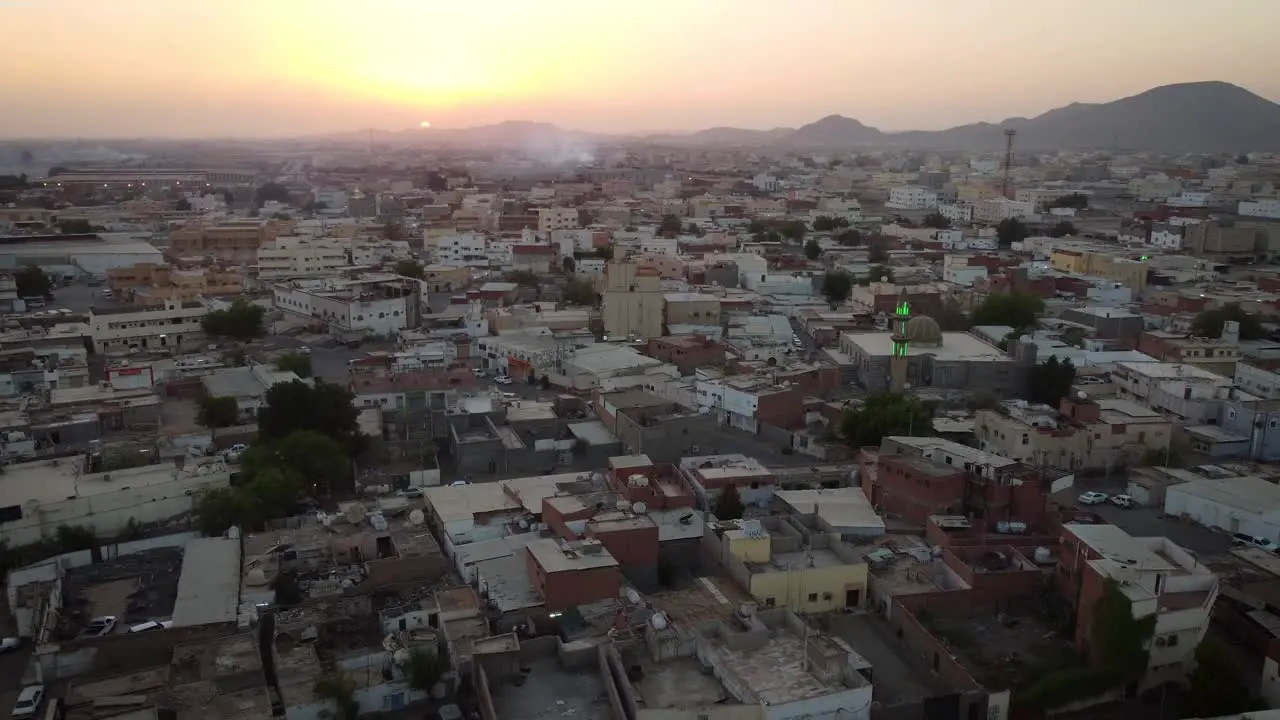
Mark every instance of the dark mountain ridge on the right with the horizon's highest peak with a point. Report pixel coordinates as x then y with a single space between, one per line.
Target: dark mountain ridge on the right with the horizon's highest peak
1210 117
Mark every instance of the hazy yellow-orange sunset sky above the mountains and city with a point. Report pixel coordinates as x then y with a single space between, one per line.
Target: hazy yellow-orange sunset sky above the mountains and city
263 69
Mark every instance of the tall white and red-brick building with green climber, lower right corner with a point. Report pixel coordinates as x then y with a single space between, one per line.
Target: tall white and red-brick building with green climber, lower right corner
1158 578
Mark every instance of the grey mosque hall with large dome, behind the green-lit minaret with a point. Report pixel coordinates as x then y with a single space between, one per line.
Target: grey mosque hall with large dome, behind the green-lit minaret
958 362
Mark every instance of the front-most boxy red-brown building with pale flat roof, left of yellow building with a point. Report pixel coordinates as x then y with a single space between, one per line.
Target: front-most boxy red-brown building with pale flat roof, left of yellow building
568 575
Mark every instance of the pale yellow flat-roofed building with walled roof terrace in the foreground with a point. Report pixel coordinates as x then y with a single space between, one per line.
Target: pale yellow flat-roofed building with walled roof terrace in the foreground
771 560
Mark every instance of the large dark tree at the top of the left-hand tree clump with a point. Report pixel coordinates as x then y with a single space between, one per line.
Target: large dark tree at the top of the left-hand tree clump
321 407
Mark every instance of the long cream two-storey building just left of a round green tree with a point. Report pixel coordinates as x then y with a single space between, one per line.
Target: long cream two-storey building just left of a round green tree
173 326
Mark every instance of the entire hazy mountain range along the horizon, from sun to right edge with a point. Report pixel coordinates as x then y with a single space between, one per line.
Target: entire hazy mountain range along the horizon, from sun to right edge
1195 117
